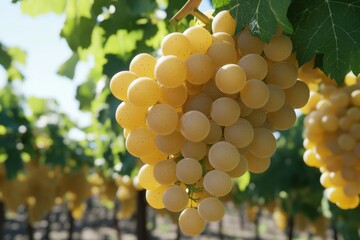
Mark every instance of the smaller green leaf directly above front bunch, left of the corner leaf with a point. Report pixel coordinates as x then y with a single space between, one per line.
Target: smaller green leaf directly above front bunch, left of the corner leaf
263 17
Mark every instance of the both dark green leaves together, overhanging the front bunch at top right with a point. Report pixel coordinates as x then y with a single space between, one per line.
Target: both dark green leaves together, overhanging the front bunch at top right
327 30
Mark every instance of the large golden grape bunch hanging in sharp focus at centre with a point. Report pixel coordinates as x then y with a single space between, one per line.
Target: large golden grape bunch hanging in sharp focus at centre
204 112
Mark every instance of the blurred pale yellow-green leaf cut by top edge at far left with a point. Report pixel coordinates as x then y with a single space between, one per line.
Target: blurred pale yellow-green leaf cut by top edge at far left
37 7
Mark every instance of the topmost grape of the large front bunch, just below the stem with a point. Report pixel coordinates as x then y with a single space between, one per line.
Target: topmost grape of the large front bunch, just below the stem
223 22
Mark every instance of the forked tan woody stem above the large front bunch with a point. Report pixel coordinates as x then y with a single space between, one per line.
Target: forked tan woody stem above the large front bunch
190 7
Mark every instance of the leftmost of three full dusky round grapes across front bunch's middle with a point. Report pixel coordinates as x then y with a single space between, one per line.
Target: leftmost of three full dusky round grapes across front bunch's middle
162 119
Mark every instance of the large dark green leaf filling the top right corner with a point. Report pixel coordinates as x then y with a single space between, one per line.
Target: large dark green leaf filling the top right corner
331 28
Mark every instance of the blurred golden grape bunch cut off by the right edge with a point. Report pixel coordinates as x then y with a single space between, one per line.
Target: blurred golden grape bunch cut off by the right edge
332 136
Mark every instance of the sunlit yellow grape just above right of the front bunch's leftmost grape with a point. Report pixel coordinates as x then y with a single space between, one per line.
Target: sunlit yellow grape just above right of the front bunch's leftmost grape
143 65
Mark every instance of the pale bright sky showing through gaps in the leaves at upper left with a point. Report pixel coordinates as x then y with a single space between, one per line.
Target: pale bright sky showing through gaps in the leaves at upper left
40 37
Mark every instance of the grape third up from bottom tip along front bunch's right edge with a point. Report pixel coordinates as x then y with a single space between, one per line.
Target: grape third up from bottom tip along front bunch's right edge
217 183
